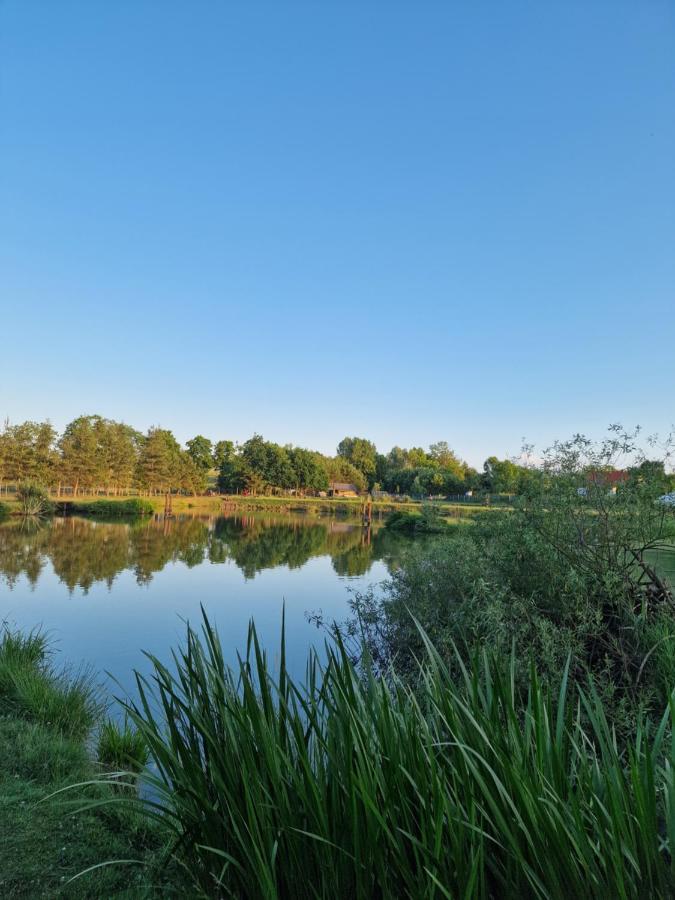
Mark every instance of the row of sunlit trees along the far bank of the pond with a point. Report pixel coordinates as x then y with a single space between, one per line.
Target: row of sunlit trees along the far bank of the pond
95 454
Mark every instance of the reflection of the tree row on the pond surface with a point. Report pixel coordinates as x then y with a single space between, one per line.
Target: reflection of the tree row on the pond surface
83 552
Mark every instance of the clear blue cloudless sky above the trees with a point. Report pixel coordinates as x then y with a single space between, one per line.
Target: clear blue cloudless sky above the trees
407 221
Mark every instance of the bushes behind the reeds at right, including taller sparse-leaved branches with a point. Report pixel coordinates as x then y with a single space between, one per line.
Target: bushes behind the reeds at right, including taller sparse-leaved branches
568 572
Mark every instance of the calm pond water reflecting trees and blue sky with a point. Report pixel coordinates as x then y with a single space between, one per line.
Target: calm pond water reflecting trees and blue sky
105 592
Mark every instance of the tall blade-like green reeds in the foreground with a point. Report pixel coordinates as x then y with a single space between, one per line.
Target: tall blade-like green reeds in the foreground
354 787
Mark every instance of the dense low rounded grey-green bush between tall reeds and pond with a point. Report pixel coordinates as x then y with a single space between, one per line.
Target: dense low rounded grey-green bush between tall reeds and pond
503 584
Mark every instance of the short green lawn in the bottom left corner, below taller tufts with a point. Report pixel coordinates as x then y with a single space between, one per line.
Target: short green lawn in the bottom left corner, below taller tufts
47 840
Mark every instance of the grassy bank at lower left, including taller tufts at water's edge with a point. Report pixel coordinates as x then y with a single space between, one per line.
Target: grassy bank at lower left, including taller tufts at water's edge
46 718
